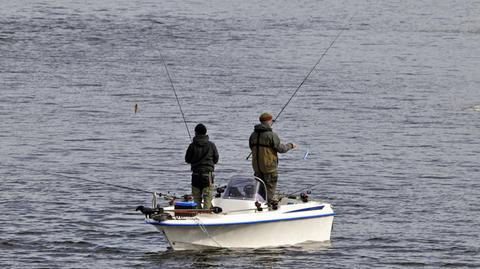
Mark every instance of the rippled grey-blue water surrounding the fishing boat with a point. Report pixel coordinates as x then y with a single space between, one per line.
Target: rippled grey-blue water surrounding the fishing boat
390 118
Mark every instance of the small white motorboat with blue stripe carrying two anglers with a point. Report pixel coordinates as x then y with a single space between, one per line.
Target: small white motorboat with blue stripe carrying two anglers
245 220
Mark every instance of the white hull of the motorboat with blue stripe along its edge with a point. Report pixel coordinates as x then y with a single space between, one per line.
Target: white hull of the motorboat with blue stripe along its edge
269 232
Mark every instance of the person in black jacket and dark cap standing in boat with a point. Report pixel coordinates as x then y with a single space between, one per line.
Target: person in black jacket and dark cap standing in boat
202 155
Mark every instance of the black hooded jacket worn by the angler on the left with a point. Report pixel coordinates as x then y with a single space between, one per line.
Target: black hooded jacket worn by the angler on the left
202 154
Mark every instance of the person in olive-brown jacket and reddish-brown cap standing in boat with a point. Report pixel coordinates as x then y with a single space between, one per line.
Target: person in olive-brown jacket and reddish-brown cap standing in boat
265 144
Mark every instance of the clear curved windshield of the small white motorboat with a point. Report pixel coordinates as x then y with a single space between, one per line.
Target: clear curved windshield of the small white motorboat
245 189
